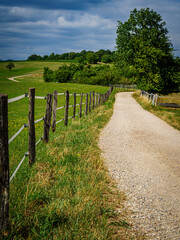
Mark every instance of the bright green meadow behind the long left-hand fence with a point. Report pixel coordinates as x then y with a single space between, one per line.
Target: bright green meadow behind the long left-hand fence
18 111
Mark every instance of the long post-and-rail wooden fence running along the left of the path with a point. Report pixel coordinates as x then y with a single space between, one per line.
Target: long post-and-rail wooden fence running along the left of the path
93 100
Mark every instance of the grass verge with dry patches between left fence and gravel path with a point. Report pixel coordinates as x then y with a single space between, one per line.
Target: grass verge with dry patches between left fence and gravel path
67 193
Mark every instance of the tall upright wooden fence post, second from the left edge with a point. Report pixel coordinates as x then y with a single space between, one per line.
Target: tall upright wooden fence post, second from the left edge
31 127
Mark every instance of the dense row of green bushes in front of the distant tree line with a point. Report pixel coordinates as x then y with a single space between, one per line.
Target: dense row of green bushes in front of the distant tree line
98 75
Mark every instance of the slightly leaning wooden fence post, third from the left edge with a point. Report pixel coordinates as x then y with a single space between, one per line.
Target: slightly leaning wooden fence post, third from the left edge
47 119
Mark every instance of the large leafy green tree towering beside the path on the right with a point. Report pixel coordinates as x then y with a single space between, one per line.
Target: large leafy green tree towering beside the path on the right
143 45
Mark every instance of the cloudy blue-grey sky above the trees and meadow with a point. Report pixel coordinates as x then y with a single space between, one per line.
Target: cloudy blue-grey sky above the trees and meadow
45 26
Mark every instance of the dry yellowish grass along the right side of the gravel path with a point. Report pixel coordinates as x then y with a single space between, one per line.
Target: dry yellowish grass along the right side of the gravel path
169 115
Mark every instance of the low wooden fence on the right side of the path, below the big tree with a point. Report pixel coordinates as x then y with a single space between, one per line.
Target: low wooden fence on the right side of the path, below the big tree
157 100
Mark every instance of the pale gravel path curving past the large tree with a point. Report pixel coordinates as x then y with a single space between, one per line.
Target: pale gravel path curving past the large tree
142 154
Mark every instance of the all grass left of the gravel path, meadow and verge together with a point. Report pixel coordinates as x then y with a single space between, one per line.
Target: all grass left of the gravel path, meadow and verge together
67 193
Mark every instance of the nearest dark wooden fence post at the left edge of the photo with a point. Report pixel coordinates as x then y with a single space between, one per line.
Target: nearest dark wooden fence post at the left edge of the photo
4 165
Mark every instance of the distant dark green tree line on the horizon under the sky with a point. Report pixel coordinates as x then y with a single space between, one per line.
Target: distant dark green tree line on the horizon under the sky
91 57
